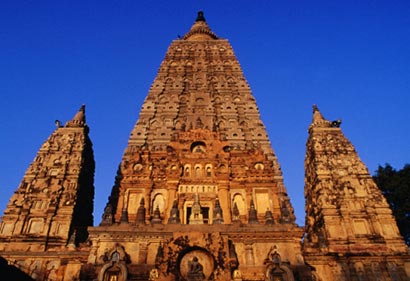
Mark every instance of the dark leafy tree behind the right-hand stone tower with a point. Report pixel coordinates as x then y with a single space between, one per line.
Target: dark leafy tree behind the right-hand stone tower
395 186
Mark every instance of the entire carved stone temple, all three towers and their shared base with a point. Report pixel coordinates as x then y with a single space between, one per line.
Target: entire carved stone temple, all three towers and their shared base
199 193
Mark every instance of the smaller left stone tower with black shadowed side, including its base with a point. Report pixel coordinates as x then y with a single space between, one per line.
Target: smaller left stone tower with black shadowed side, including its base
50 211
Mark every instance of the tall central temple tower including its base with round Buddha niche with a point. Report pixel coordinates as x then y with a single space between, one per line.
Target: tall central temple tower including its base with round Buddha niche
199 181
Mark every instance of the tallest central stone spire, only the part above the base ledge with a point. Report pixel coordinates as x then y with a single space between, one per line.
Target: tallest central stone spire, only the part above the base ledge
200 130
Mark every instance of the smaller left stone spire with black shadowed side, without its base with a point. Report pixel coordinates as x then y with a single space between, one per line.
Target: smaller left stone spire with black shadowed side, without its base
55 197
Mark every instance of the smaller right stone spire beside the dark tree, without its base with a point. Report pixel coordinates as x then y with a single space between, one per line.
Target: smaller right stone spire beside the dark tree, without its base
346 213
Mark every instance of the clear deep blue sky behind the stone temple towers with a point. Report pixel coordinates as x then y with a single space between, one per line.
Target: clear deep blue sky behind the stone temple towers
351 58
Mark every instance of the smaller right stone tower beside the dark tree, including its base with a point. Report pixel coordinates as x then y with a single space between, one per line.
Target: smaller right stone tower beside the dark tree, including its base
350 231
